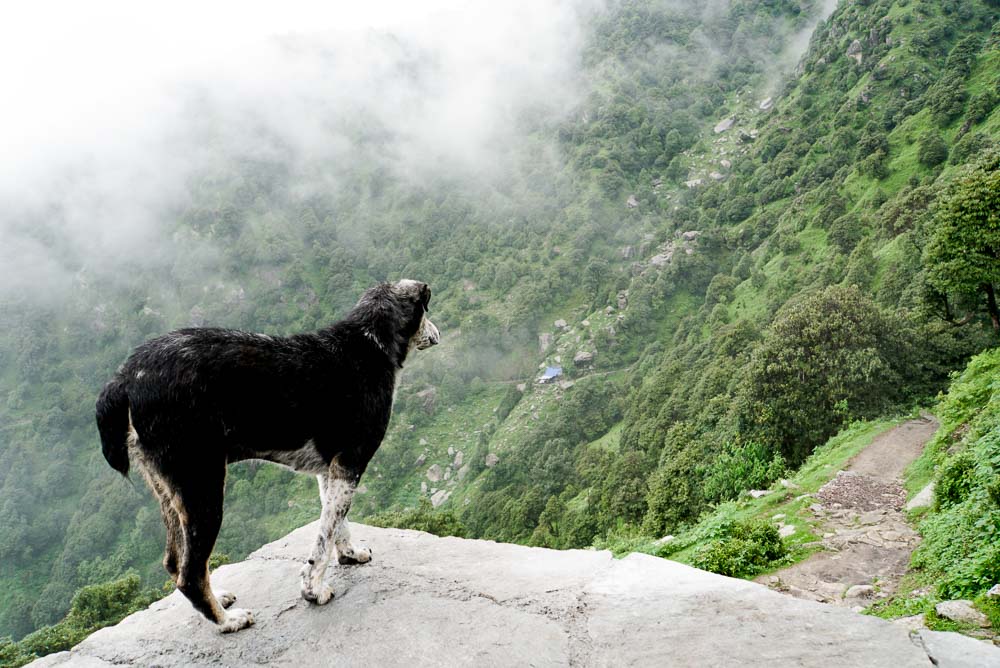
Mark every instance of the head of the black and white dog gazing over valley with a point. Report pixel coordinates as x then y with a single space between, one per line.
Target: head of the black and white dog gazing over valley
395 317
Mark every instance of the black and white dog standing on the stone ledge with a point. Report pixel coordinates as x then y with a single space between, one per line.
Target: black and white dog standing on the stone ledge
186 404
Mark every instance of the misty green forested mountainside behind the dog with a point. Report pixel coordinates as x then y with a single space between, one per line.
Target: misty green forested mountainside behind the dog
730 246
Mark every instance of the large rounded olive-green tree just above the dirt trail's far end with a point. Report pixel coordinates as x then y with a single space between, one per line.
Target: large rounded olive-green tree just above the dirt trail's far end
829 357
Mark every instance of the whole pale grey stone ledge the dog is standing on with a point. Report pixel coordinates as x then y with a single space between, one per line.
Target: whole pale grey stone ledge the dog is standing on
427 601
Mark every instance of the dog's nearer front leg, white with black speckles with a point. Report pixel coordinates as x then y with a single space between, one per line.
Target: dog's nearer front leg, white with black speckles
336 490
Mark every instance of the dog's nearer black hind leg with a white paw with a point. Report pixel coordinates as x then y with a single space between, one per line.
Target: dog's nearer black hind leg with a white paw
199 505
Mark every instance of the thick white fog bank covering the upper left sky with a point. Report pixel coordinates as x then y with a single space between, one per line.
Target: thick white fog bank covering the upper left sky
111 108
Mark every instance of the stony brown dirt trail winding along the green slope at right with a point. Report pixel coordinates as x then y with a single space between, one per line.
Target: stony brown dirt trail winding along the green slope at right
866 539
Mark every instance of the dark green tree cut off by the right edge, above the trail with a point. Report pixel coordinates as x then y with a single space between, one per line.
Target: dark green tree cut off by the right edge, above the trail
963 257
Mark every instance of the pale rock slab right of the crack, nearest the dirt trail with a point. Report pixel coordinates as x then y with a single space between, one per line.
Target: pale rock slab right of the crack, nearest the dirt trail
674 615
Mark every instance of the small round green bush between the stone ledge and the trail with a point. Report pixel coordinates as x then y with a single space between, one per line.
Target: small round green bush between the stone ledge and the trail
746 548
